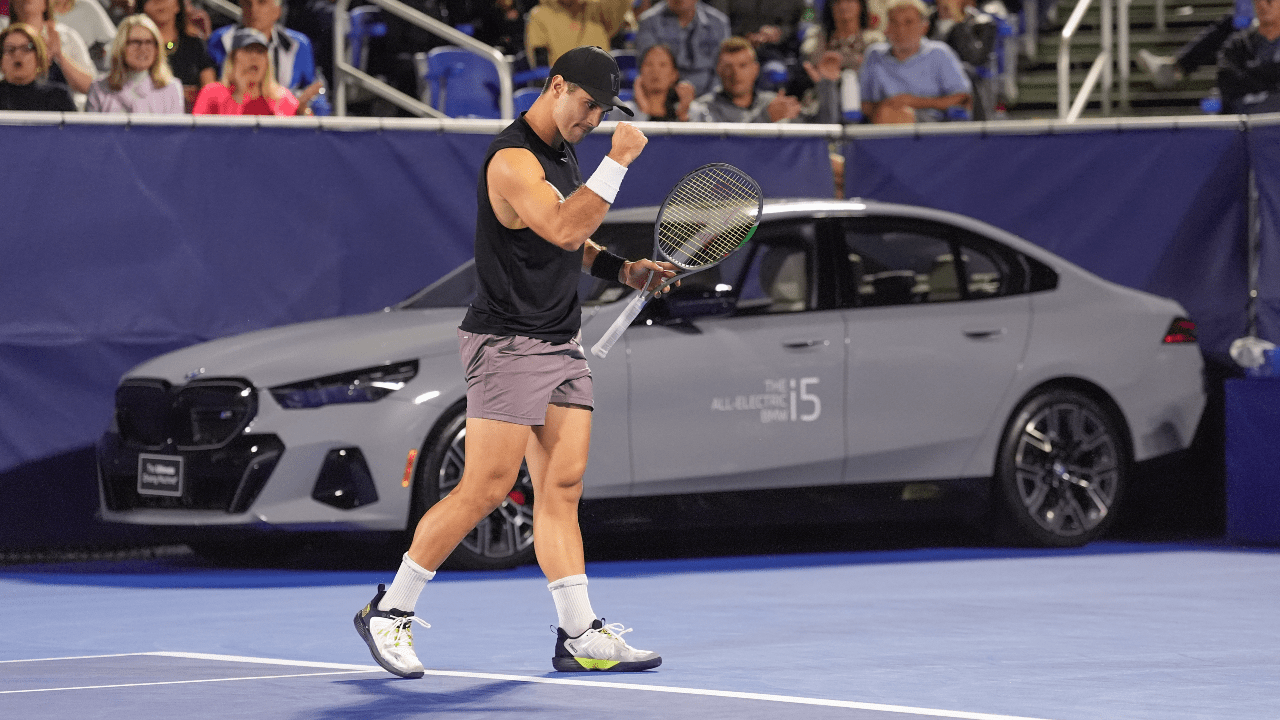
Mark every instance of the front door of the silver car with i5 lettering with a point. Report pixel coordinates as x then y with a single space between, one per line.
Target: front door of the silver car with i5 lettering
752 399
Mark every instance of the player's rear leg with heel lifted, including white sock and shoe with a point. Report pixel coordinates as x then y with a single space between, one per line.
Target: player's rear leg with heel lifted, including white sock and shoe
495 453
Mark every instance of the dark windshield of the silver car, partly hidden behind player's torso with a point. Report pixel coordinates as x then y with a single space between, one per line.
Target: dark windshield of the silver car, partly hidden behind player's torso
459 289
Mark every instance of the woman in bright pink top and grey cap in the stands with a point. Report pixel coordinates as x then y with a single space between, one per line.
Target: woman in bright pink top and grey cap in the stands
249 85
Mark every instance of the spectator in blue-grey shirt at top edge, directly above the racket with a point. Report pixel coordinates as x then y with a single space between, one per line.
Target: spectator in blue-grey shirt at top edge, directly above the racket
693 30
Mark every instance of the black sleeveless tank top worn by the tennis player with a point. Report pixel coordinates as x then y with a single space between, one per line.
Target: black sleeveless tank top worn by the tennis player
528 286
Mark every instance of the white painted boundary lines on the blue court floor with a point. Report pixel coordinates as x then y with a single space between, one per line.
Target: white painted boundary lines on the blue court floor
342 669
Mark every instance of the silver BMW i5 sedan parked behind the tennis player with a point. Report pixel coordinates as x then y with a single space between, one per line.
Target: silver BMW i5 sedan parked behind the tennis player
853 345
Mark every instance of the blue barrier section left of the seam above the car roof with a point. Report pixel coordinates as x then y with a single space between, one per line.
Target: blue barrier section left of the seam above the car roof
132 241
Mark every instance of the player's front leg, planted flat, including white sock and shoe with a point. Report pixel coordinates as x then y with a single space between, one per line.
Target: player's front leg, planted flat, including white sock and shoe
557 457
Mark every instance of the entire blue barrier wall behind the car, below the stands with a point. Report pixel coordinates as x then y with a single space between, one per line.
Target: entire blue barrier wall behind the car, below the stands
125 243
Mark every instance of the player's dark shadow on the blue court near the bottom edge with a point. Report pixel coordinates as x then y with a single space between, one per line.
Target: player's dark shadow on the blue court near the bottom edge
390 699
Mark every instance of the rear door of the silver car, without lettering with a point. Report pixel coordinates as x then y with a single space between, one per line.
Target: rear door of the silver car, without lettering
938 327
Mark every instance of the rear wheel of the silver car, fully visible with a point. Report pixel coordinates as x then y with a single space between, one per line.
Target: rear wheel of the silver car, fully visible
1062 471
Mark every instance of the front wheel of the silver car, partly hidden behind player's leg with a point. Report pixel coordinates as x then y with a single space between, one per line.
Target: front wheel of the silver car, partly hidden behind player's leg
505 539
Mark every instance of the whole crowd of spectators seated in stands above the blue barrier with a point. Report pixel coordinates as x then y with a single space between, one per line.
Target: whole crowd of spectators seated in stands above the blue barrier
697 61
